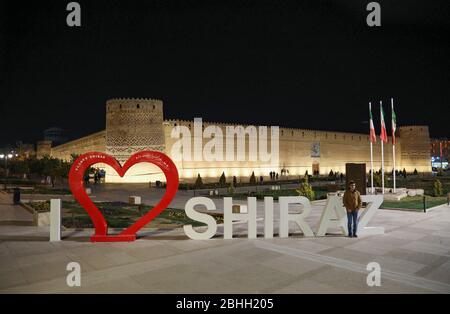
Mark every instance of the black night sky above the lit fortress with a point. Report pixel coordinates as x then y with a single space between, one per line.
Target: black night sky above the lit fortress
307 64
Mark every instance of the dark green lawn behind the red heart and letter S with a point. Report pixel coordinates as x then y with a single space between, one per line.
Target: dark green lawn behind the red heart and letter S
120 215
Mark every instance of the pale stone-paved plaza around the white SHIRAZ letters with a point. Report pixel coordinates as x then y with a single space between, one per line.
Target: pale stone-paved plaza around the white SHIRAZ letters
414 255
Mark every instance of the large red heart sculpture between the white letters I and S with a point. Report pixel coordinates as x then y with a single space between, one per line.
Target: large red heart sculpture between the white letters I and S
76 175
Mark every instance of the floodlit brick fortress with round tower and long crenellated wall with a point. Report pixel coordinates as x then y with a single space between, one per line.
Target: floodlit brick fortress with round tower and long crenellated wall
138 124
